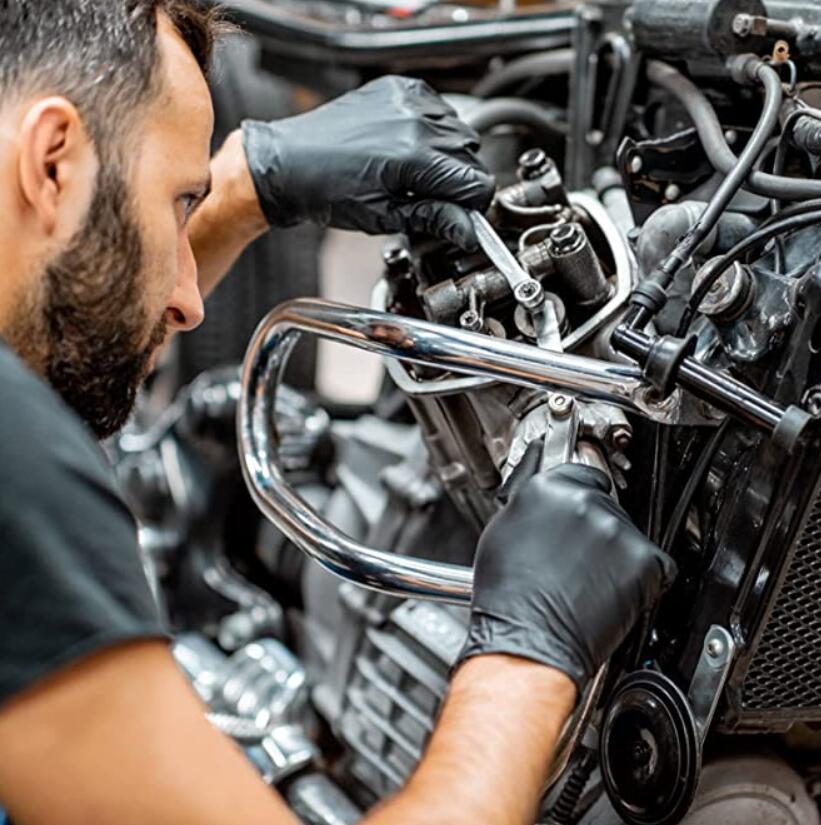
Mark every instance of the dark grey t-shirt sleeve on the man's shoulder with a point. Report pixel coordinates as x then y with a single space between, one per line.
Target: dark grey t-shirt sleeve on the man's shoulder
71 578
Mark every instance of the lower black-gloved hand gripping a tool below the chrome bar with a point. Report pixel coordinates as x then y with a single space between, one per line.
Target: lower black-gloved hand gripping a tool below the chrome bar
562 575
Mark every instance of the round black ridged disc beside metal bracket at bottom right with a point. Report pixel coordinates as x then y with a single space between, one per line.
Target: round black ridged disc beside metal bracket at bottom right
650 751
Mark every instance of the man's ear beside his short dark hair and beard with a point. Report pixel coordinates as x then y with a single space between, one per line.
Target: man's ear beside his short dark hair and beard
57 166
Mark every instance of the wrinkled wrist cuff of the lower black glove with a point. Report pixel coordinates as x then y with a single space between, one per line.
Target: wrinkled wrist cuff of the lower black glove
489 634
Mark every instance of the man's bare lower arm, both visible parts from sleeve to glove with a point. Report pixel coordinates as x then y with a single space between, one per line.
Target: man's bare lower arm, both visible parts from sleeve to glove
121 738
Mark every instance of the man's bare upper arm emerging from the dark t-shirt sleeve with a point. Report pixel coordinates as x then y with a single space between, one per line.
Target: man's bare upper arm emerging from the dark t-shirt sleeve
121 739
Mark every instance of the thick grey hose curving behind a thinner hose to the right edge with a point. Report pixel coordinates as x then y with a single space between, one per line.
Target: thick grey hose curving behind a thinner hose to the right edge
715 145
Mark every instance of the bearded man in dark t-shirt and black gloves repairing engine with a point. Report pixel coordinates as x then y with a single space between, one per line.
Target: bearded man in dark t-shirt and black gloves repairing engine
105 122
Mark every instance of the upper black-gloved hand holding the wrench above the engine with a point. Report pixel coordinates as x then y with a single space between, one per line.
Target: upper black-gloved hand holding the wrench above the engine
389 157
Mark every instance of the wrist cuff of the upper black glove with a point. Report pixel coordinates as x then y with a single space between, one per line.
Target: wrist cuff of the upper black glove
261 142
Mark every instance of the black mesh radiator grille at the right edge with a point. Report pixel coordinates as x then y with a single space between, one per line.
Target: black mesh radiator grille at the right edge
786 669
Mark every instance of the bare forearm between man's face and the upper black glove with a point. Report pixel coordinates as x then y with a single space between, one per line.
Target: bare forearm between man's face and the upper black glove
230 218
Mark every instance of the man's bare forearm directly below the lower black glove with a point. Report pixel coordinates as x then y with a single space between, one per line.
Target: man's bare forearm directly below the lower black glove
490 754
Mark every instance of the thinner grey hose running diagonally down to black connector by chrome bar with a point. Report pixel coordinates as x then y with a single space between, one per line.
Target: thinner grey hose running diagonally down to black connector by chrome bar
686 247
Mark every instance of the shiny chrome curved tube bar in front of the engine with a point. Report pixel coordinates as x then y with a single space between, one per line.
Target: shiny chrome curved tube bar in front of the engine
406 339
